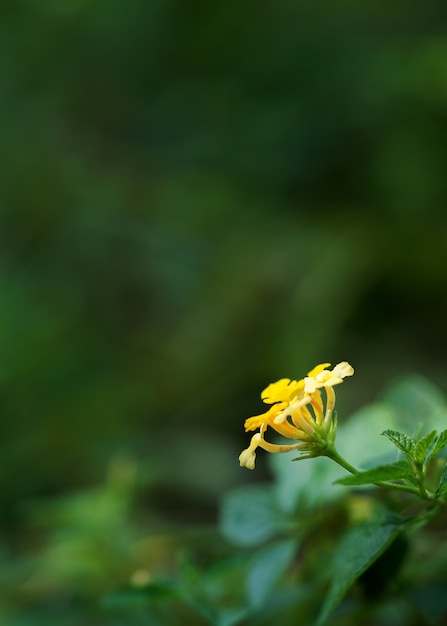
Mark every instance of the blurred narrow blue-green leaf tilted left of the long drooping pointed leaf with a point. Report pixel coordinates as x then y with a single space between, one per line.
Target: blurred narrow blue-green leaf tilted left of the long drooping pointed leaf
266 569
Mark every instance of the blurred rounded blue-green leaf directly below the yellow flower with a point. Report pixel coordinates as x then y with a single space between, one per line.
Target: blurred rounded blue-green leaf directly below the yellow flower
251 515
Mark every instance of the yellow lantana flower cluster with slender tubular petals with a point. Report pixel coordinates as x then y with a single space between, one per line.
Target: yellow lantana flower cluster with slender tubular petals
298 412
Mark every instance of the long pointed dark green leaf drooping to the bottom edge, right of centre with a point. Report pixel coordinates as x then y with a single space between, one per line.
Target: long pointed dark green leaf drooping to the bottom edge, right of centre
358 549
